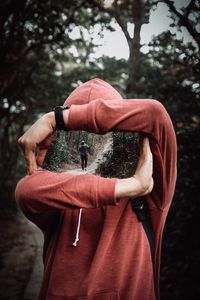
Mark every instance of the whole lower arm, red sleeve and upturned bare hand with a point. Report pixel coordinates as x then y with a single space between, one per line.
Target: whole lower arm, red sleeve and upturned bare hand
43 193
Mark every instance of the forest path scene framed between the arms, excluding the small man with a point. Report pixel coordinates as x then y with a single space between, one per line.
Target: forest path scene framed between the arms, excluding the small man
111 155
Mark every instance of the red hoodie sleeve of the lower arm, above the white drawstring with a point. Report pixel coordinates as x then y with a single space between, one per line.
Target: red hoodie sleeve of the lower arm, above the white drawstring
42 194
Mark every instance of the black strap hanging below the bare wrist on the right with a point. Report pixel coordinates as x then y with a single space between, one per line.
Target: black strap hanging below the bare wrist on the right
140 207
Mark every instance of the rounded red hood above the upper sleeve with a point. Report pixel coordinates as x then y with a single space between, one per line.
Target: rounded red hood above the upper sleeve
92 90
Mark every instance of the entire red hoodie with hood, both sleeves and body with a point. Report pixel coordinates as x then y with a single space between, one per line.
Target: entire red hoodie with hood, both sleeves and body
112 258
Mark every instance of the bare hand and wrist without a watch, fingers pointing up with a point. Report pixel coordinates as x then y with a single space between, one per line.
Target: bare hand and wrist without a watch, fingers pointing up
142 182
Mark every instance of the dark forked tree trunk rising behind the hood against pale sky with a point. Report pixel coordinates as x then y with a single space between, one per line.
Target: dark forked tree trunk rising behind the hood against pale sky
130 15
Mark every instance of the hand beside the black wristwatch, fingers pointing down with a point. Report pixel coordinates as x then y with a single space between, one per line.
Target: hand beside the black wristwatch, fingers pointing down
37 137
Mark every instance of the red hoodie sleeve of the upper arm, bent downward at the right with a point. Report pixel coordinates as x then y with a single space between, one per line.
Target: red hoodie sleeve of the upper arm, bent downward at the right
133 115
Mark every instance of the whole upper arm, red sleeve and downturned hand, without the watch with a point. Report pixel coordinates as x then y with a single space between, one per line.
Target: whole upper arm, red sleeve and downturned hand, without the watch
100 116
